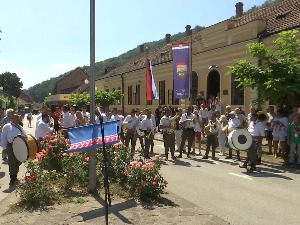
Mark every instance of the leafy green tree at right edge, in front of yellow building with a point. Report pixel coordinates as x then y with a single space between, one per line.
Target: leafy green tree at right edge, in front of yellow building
279 77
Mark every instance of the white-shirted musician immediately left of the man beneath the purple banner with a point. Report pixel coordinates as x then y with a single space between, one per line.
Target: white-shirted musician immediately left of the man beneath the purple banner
167 124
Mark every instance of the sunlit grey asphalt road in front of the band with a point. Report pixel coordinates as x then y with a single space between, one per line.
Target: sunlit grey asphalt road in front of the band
269 196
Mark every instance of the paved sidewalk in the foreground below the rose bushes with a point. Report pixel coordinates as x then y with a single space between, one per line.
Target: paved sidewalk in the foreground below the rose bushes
178 211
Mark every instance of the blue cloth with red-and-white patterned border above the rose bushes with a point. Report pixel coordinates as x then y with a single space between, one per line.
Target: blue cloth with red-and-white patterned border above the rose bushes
90 136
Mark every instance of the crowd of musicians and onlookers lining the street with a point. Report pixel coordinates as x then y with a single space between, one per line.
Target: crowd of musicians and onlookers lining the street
178 126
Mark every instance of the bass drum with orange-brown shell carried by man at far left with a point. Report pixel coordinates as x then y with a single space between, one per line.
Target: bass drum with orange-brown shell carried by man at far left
25 147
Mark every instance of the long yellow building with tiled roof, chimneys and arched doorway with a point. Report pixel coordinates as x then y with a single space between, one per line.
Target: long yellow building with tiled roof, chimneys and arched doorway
214 49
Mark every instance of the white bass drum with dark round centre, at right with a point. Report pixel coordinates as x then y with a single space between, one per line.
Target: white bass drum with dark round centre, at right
240 139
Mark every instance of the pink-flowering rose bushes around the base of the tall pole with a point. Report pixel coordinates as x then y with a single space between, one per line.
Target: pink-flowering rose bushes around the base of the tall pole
54 172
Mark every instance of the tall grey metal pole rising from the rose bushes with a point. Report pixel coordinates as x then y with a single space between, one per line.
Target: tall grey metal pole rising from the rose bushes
92 152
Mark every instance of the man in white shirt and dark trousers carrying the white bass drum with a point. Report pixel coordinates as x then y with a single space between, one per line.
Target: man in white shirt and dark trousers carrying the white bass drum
257 131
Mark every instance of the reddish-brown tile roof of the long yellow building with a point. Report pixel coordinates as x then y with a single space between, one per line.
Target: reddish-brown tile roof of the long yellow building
280 16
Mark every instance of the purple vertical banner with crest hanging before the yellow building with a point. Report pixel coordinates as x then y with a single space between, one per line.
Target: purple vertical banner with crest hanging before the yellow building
181 70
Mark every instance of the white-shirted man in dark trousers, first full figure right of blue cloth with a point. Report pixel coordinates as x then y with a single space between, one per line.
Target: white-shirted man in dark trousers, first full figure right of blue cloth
129 125
